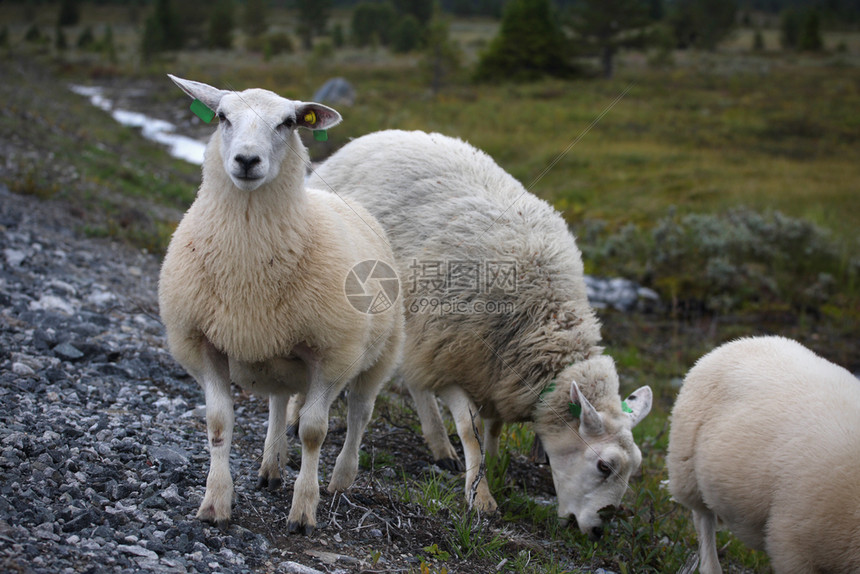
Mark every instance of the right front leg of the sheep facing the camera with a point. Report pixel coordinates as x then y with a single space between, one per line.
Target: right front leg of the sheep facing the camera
313 425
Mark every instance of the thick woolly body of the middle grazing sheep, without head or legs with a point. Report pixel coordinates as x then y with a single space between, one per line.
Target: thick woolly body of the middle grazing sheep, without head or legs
443 202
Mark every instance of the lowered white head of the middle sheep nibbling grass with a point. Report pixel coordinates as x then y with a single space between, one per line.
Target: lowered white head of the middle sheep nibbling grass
591 468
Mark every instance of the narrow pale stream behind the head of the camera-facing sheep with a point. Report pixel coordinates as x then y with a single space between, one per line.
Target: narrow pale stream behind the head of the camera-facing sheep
160 131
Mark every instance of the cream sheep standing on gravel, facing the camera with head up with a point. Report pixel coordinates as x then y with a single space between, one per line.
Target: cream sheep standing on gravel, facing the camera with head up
252 289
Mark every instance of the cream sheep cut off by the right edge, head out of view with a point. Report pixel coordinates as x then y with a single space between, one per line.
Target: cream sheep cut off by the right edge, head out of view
766 437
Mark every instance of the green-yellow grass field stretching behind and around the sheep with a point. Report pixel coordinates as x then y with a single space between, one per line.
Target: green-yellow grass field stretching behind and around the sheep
705 133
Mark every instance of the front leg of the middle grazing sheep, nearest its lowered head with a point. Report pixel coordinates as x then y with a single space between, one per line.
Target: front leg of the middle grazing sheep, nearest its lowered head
463 409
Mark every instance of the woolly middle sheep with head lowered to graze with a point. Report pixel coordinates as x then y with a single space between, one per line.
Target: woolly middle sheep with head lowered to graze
498 322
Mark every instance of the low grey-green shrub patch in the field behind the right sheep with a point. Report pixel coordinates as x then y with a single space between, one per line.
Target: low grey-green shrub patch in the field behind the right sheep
737 260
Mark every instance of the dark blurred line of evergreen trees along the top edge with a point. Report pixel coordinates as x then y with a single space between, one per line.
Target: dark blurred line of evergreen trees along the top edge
536 37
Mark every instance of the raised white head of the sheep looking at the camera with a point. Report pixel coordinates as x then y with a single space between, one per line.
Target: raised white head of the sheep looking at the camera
257 129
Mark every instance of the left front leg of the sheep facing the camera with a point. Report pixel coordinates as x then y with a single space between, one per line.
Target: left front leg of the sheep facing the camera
215 380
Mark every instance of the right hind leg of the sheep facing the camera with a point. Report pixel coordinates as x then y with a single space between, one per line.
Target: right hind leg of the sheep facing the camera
361 398
